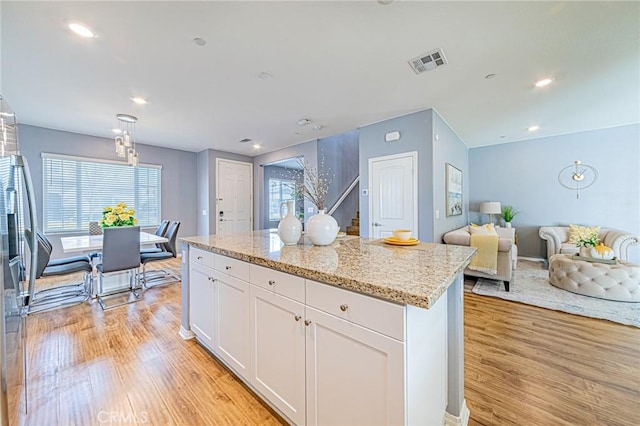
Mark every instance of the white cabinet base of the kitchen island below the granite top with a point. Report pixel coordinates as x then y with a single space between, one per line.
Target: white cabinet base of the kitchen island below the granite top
320 354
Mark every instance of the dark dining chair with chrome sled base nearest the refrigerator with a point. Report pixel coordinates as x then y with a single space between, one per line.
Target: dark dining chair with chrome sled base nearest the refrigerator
60 295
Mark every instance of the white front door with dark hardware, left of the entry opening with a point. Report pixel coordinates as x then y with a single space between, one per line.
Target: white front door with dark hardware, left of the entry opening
234 203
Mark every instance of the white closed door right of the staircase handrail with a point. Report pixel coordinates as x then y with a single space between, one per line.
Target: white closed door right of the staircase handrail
393 194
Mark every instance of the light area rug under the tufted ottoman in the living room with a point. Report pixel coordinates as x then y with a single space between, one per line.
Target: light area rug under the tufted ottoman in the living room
531 286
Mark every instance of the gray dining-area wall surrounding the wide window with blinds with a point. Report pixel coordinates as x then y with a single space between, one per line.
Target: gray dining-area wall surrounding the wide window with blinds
178 170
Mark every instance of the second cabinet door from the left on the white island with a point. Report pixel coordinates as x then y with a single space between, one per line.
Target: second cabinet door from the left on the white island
232 323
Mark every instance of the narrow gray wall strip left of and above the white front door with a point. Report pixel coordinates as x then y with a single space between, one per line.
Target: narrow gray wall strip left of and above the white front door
206 196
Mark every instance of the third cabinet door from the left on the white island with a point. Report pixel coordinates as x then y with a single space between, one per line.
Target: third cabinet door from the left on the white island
277 330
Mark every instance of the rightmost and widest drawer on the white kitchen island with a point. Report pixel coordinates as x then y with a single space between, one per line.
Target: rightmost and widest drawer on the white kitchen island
378 315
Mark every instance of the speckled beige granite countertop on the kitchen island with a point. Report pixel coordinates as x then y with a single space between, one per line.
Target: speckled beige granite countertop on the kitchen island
415 275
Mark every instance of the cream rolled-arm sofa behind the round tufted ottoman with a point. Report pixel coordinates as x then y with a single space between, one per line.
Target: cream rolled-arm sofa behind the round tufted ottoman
557 238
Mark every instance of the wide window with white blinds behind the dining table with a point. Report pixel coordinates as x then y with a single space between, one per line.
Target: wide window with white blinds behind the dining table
75 190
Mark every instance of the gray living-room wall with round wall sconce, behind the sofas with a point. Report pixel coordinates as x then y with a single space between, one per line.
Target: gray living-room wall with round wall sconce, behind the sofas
525 175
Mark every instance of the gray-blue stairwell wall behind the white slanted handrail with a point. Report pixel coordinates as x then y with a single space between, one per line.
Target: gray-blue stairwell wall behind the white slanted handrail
338 158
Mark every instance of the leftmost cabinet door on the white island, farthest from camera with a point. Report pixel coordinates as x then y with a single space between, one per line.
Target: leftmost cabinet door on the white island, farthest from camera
202 300
